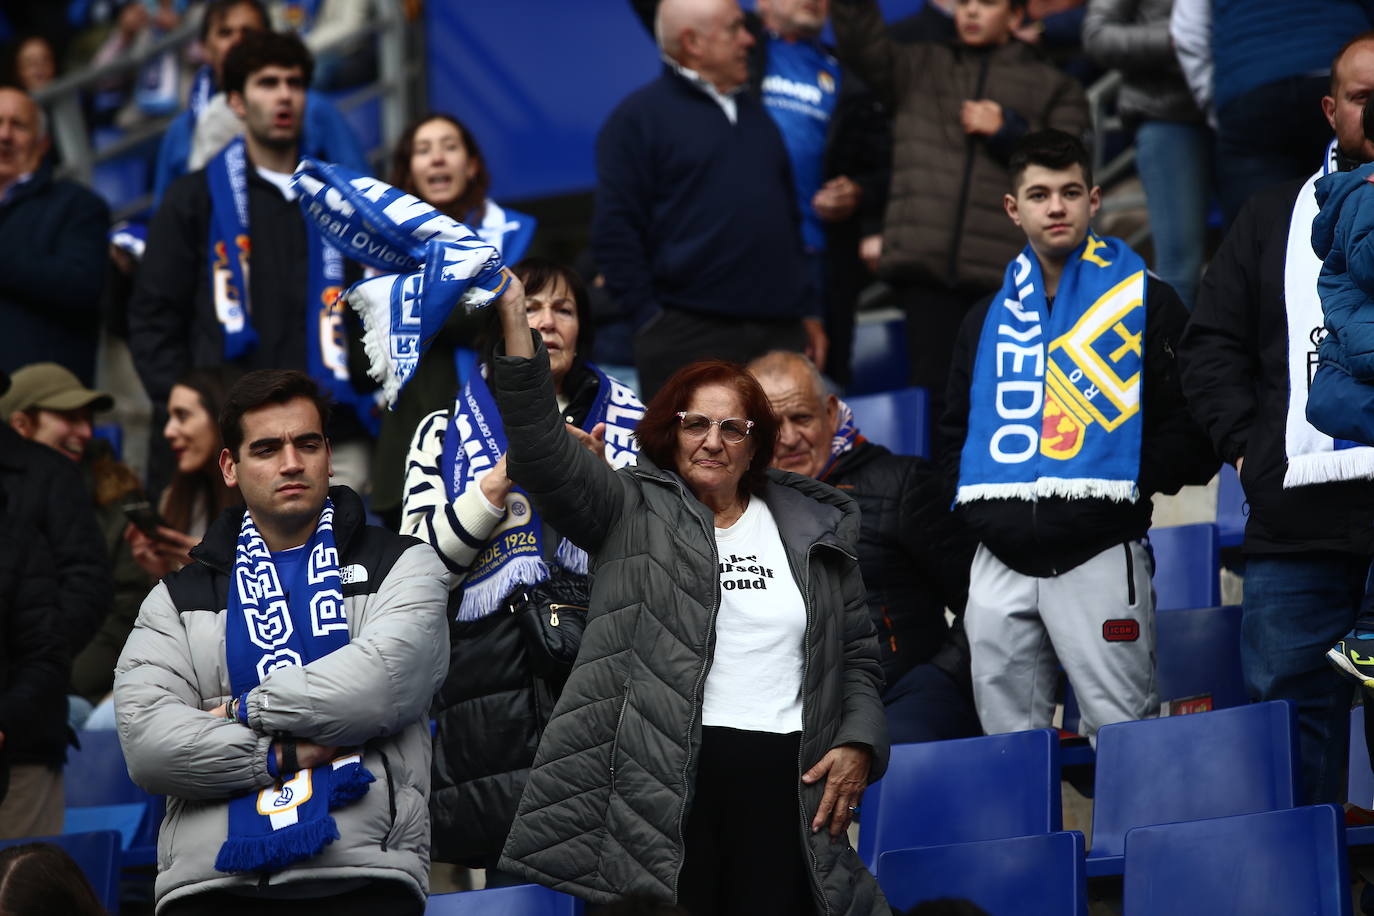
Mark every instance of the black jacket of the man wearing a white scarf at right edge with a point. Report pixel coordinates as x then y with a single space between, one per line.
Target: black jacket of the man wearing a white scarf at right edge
1235 363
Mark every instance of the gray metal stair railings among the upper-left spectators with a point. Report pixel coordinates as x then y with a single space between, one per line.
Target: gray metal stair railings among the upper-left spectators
63 97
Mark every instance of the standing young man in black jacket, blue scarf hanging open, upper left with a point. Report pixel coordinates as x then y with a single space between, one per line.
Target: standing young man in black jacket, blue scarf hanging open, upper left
233 274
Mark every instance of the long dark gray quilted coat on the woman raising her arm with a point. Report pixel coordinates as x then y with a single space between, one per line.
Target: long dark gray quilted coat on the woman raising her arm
608 799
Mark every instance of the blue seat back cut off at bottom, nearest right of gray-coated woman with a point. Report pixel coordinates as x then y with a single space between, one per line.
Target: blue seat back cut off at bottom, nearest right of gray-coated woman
1024 875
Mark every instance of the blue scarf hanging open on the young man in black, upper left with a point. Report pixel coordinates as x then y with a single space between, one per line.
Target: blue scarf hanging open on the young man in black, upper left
232 245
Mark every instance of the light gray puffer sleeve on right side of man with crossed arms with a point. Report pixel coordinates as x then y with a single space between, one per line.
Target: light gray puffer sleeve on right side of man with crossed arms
383 680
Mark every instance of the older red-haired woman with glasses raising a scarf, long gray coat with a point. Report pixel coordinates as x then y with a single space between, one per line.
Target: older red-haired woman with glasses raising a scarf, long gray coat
718 731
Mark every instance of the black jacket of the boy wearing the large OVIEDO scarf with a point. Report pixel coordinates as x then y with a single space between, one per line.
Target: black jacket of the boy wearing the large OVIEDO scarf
1052 536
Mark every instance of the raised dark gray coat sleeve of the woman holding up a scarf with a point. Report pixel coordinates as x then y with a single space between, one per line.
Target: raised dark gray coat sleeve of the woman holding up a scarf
575 491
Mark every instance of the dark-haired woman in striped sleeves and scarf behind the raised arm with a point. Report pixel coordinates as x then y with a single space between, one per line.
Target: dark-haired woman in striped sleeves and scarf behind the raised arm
461 501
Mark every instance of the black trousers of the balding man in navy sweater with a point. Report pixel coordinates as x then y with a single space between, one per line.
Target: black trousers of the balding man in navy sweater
677 339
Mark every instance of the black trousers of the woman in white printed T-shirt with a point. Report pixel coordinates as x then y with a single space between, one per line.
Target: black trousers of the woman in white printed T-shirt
744 849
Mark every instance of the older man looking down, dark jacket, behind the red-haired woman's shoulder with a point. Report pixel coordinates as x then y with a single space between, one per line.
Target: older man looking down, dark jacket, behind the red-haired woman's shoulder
913 556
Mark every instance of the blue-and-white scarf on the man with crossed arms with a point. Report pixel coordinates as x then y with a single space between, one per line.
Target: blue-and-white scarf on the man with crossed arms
271 624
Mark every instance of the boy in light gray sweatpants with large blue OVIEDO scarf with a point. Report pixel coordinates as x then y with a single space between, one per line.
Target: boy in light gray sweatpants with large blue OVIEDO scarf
1064 418
